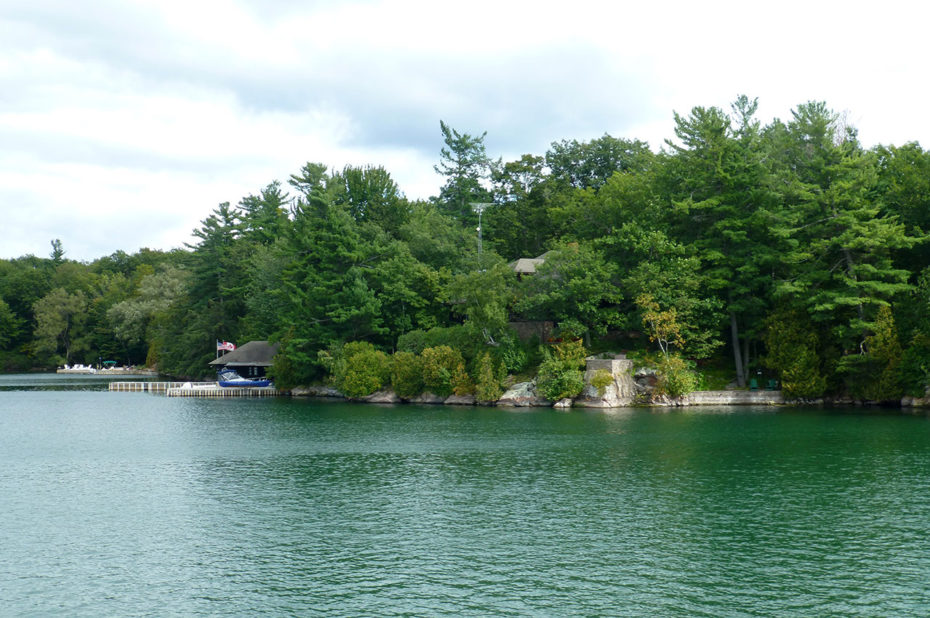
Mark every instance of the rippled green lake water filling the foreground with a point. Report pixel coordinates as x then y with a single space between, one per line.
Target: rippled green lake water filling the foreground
135 504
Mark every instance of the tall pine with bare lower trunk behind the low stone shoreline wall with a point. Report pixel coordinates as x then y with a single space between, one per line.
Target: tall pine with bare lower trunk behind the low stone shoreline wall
724 210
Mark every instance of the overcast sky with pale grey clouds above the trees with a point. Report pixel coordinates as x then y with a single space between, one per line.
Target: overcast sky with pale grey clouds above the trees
124 123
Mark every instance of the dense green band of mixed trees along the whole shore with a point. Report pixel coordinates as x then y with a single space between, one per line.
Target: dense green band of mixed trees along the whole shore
786 248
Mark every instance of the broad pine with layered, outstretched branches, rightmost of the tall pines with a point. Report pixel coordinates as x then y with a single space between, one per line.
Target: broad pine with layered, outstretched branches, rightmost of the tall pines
842 264
